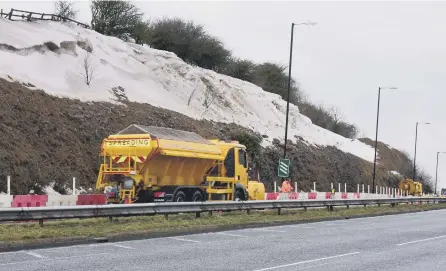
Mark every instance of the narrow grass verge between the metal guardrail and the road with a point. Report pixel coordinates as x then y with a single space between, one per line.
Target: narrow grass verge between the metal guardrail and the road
122 228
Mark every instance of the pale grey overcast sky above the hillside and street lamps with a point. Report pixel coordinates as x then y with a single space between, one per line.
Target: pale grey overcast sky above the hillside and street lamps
355 48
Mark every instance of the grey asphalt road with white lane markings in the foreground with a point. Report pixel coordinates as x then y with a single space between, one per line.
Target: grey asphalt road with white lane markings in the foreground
406 242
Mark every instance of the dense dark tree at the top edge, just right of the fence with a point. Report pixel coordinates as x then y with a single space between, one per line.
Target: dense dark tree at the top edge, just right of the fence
115 18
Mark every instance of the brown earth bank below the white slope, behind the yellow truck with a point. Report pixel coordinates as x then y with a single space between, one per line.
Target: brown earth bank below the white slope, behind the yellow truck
45 138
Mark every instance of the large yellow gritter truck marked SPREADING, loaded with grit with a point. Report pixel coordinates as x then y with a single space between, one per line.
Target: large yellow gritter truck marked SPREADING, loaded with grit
148 163
